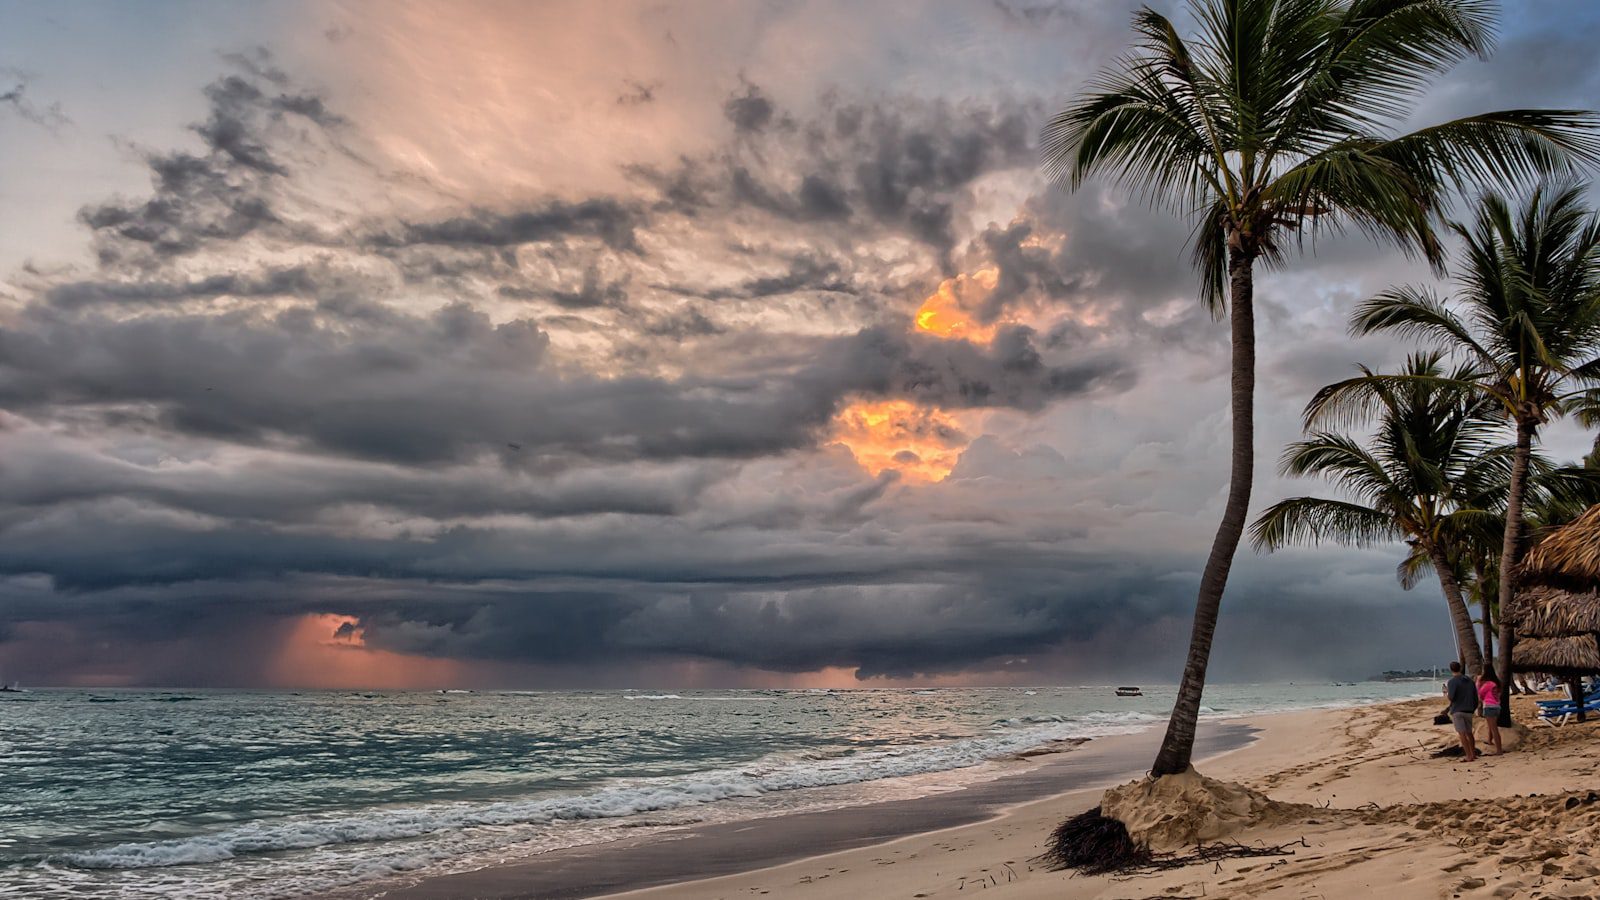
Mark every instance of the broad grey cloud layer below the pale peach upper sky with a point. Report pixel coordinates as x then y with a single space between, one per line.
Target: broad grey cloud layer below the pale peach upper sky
591 432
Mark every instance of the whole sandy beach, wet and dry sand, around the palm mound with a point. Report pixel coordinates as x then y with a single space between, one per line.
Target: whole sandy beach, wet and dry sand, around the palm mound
1374 810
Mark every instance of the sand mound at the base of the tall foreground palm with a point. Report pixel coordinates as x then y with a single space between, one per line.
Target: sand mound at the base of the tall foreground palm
1180 811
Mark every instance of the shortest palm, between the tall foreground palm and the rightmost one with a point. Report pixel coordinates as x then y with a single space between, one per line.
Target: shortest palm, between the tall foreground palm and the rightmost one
1433 451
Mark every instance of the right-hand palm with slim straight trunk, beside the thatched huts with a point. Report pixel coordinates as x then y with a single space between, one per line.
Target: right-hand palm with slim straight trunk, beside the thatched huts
1530 291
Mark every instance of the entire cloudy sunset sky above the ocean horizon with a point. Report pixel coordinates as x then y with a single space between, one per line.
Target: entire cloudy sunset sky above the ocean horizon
604 345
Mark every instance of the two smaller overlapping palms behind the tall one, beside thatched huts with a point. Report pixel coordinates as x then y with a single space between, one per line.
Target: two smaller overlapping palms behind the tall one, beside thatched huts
1449 464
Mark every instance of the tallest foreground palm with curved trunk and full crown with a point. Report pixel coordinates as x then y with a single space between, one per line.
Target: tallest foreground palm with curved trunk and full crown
1268 127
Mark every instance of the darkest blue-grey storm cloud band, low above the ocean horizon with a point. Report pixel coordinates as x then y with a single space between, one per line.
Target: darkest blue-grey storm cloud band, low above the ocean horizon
921 622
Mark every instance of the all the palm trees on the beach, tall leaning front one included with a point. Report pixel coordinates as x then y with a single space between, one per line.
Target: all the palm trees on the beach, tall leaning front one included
1273 124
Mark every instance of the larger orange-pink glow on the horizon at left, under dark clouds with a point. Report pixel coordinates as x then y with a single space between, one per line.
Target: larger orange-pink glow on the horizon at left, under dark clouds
330 651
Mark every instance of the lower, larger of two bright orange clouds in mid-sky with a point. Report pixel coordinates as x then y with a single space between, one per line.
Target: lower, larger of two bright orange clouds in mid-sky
921 443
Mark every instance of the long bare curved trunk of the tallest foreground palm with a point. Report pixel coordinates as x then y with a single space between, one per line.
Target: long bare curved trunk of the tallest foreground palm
1180 741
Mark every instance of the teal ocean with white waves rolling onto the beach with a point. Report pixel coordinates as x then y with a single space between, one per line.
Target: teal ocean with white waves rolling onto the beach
231 794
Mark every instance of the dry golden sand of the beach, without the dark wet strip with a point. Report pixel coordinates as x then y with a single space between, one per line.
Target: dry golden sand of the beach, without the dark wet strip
1364 805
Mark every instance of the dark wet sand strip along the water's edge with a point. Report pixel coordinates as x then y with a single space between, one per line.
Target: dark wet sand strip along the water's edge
737 850
